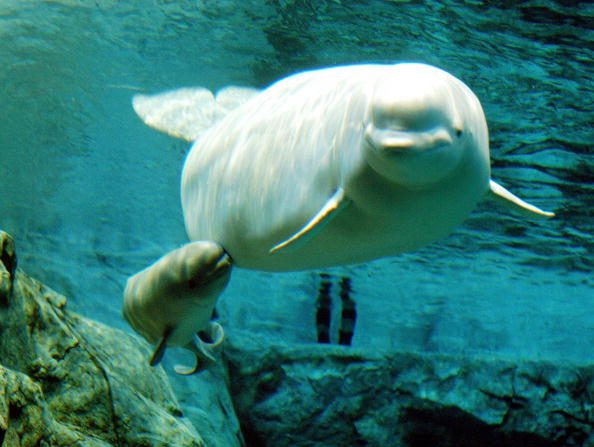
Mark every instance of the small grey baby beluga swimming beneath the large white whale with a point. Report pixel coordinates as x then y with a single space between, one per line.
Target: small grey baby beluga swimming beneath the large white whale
181 288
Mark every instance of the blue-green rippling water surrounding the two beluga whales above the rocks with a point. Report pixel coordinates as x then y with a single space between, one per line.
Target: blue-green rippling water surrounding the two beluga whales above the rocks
91 194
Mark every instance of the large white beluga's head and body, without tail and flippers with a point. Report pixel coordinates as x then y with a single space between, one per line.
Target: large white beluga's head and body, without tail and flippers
270 165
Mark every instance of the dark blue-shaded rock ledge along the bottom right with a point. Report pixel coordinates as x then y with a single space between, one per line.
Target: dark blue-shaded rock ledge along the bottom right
335 396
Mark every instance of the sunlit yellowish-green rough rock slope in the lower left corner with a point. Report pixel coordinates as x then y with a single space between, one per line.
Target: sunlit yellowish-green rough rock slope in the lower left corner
66 380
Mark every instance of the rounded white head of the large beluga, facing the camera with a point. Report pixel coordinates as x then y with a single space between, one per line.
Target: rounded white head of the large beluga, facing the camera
418 118
